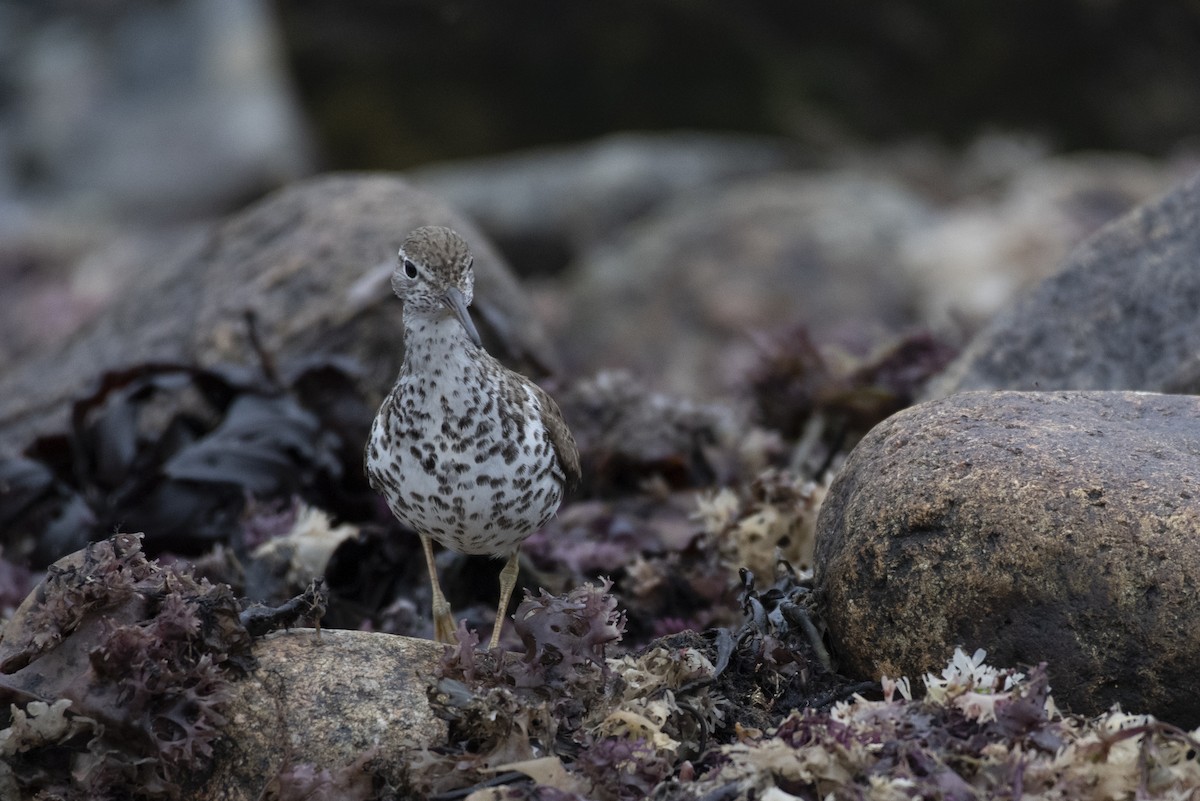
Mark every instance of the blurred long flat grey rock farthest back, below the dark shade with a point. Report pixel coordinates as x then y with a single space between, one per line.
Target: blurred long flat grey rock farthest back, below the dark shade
547 206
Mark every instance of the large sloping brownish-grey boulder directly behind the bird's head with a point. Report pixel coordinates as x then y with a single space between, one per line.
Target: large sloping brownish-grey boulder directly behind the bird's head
311 263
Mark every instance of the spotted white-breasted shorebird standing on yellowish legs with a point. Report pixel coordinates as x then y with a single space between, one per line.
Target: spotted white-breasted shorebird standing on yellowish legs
466 451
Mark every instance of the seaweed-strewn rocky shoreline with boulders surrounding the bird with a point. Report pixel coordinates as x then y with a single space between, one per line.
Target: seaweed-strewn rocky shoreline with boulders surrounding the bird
795 495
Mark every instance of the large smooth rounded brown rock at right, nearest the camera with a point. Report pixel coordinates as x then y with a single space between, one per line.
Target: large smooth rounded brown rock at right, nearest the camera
1058 527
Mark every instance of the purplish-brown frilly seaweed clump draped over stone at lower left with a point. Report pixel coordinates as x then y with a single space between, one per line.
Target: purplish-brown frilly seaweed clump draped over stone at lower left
118 672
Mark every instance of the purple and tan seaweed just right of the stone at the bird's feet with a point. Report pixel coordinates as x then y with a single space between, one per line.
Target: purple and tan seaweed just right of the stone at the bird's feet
609 728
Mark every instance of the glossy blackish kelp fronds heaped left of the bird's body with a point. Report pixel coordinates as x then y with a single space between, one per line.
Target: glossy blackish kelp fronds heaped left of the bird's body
176 450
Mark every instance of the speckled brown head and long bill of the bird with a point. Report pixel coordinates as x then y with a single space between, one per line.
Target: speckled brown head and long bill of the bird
434 276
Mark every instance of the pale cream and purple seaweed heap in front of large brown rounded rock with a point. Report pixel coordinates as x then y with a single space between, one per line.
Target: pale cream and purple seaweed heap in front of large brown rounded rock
979 733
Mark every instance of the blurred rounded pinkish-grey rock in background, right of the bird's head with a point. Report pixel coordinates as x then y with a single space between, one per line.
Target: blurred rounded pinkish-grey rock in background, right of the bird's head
706 273
